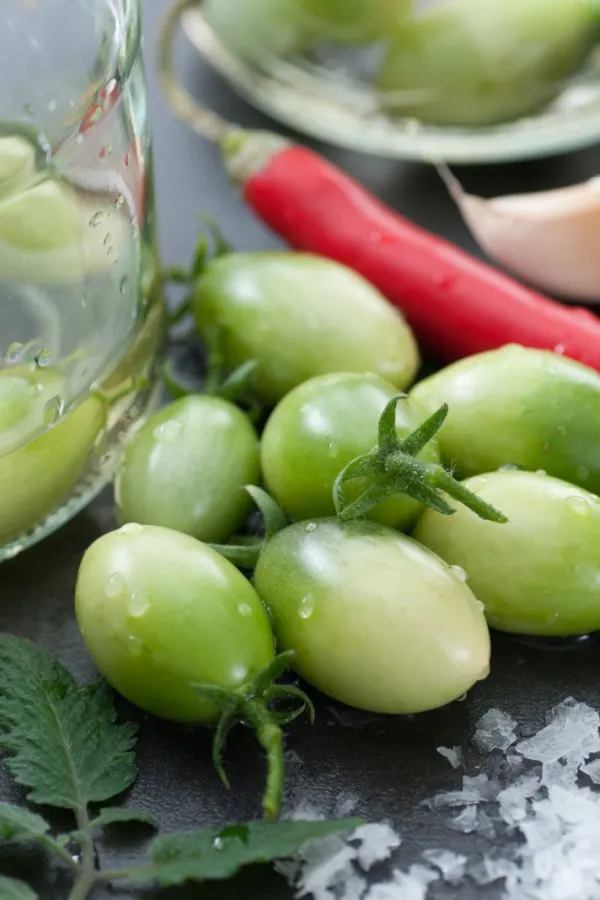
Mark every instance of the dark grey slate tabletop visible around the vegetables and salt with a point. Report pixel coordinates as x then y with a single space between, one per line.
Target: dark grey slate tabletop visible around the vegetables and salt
391 765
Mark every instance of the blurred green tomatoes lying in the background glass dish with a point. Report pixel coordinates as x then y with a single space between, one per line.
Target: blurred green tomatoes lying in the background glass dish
463 62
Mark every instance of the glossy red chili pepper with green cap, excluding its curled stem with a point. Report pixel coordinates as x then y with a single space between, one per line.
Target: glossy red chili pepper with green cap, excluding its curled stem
456 304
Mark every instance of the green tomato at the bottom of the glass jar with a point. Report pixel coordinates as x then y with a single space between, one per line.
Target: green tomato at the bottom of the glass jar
40 461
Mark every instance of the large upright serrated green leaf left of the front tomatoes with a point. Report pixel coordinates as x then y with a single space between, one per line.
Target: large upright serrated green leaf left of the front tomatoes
64 740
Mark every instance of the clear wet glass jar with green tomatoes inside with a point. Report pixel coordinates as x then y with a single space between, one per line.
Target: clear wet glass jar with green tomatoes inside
81 313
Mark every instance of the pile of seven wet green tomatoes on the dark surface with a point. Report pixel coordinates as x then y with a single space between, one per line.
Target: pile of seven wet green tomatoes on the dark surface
376 619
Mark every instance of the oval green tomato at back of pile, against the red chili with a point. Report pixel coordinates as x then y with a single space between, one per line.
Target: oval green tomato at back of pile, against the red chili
299 316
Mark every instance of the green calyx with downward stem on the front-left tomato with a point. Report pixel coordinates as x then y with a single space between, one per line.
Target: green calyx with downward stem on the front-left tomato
253 703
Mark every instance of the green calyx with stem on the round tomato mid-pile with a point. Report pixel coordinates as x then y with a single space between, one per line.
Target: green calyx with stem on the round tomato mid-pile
393 468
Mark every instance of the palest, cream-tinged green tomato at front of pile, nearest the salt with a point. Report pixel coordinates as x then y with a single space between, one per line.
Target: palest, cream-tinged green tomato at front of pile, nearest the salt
376 621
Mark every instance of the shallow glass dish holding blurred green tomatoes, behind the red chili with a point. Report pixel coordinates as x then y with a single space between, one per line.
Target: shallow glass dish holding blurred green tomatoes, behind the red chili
434 80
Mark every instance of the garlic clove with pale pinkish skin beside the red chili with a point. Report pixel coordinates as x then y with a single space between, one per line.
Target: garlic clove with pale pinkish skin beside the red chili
550 239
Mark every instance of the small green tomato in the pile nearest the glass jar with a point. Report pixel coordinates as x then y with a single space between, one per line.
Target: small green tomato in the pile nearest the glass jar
186 468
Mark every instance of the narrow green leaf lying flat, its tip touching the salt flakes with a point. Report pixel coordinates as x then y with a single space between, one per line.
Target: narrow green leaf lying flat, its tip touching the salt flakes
215 854
